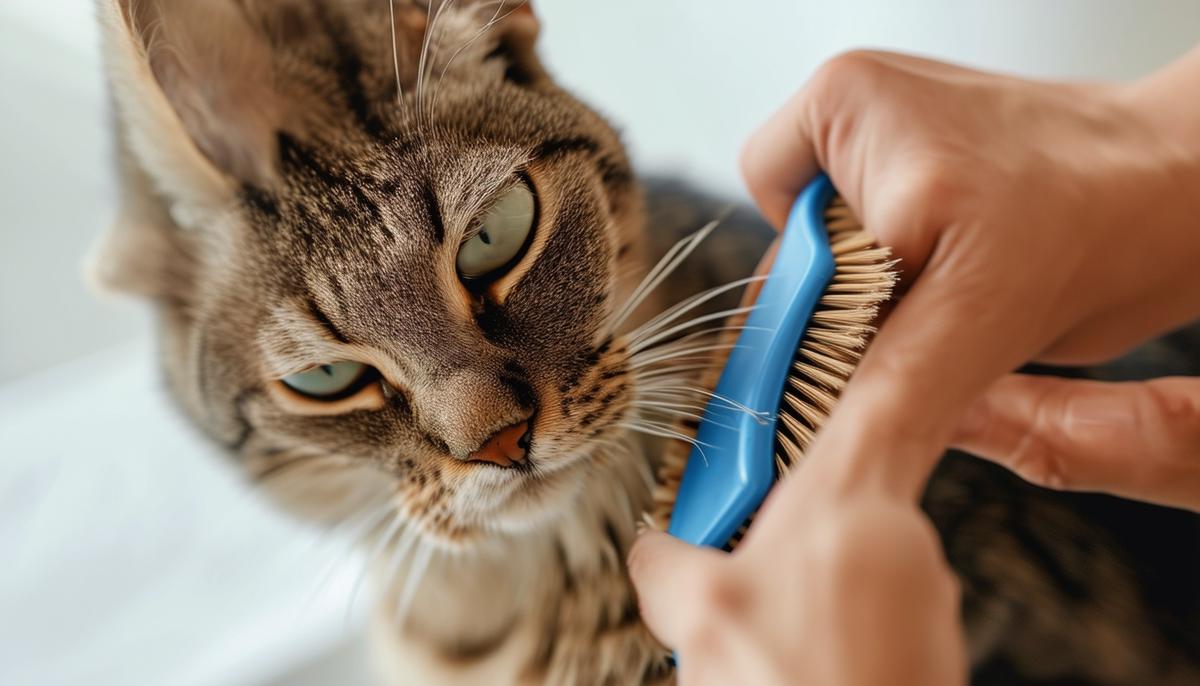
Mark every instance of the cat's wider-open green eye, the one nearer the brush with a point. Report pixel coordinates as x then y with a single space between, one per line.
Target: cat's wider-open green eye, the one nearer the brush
502 237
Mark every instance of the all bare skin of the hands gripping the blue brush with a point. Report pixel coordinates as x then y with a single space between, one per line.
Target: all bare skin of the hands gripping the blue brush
1035 221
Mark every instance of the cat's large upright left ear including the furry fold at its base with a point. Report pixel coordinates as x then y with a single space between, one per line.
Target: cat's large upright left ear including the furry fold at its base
191 82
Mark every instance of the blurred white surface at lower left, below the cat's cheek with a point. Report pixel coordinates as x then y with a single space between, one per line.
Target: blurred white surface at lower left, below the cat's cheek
134 555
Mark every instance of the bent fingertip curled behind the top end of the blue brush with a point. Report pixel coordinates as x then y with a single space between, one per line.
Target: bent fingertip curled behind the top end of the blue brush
778 160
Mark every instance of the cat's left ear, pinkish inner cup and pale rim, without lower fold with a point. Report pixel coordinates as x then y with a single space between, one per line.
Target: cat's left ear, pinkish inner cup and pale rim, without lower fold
193 83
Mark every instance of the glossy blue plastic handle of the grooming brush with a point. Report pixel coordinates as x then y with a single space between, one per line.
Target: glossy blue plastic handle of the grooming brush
734 466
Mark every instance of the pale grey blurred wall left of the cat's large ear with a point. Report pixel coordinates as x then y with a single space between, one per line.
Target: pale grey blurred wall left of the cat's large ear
56 186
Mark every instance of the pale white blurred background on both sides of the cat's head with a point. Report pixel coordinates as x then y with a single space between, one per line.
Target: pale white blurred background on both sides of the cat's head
133 556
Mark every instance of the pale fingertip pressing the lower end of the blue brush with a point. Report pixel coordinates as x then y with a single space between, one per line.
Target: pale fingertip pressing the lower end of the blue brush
673 581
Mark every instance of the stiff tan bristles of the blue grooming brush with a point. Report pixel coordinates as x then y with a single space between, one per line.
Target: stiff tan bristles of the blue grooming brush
837 336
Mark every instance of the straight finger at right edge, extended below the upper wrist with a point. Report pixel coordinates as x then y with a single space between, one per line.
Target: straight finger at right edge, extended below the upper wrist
1137 440
